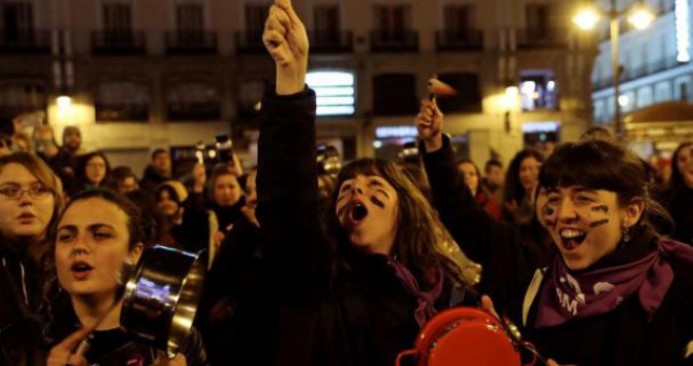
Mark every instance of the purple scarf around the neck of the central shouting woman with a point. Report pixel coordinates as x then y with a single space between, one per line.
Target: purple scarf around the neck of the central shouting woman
425 299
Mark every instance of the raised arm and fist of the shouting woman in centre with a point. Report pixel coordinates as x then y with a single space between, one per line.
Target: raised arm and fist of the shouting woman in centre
287 177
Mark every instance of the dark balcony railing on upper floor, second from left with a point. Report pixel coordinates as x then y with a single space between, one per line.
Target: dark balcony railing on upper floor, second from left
118 42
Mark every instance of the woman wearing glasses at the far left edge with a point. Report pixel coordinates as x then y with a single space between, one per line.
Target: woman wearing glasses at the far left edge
30 198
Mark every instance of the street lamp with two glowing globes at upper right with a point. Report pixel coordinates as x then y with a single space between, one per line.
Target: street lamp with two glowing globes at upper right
638 15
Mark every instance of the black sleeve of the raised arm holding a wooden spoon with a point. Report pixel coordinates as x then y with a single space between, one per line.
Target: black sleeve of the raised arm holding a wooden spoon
493 244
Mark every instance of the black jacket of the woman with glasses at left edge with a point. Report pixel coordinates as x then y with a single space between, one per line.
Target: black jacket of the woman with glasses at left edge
20 296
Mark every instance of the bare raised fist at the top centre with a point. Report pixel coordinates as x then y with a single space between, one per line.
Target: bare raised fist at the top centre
286 40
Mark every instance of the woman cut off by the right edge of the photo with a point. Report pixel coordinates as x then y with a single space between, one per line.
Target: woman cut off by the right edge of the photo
678 195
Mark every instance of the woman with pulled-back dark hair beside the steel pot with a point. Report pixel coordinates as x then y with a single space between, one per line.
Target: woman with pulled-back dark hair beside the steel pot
96 235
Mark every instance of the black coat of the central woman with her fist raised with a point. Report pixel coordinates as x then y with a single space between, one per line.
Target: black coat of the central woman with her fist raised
314 313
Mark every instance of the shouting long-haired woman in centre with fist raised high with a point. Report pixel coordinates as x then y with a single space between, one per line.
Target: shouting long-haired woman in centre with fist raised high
358 294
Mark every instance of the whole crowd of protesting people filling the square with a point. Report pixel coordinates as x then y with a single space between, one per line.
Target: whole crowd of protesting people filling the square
588 249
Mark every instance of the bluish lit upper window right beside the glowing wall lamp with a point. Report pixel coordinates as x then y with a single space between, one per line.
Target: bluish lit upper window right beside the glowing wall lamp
538 90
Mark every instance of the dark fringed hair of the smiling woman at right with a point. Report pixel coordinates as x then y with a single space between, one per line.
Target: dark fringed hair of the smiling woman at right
600 164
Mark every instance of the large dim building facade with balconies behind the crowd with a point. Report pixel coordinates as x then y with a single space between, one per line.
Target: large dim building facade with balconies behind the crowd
170 73
